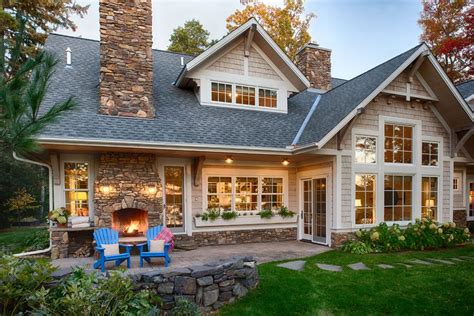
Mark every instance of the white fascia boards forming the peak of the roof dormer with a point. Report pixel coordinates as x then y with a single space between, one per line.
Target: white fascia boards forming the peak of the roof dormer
227 39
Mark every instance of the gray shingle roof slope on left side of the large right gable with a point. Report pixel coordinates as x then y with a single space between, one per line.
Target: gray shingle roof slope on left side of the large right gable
337 103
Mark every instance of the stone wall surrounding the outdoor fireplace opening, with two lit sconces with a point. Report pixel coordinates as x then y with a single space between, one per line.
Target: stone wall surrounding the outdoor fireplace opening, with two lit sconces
128 176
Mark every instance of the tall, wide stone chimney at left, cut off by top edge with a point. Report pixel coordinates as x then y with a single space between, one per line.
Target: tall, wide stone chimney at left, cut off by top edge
126 66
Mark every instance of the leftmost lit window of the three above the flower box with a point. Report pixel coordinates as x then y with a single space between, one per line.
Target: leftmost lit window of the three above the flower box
219 193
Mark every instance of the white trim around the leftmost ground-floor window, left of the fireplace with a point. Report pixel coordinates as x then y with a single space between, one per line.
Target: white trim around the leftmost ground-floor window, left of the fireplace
78 158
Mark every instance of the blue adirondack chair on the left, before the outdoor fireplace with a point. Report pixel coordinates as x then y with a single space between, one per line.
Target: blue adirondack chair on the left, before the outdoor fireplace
104 236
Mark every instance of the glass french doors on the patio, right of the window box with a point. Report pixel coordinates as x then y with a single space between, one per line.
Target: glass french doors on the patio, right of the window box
314 209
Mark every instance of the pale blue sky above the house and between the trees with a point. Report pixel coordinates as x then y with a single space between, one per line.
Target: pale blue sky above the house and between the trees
361 33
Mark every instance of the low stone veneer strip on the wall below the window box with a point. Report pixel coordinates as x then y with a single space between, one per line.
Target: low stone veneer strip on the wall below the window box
238 236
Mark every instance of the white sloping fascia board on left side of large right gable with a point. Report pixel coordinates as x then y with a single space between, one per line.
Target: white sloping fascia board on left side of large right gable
363 104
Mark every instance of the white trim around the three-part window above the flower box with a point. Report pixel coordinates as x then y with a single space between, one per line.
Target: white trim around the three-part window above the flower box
234 173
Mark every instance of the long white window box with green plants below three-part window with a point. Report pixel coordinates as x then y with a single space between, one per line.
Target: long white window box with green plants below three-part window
216 217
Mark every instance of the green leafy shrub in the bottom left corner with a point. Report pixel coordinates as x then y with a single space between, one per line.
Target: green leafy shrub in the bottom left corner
21 279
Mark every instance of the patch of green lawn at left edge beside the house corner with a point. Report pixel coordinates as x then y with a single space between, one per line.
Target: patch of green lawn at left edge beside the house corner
19 239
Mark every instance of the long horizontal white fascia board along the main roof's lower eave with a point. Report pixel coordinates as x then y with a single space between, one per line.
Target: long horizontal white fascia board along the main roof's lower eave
162 145
